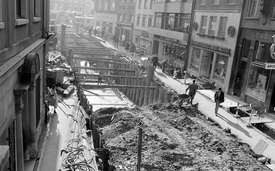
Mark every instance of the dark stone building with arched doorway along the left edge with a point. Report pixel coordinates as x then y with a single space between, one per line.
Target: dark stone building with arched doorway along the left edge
23 49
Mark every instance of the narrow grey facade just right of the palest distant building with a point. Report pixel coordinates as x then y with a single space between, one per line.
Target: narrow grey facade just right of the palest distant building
125 20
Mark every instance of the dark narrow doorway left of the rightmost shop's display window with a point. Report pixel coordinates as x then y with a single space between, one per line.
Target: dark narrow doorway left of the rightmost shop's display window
239 79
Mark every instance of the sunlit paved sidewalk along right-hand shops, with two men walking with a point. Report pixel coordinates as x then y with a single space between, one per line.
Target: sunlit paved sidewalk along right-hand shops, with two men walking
225 119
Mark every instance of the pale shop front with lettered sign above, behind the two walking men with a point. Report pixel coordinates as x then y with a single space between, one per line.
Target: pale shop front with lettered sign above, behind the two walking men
210 63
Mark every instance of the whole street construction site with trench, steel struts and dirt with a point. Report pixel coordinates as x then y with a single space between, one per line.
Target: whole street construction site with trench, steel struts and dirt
119 115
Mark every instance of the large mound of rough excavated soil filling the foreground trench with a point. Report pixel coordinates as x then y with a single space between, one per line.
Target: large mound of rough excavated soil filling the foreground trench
173 139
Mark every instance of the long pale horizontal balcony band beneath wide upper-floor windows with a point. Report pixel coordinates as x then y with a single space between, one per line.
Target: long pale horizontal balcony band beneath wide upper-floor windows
170 34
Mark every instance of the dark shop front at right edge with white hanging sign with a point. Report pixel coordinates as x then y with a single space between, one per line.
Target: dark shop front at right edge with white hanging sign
254 78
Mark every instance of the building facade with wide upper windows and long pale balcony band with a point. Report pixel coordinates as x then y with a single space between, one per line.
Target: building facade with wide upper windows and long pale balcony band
171 30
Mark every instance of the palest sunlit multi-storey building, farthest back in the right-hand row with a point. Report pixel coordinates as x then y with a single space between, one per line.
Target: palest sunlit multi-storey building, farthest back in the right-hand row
105 15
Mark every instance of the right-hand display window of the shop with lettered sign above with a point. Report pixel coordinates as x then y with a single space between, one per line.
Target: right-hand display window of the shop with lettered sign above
220 67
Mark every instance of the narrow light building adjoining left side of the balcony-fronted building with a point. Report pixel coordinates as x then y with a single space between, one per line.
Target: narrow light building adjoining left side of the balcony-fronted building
144 16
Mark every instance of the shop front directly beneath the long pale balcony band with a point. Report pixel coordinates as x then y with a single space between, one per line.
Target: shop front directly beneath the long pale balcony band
171 49
